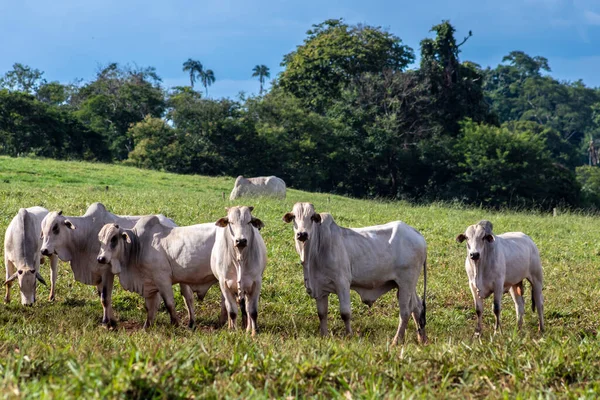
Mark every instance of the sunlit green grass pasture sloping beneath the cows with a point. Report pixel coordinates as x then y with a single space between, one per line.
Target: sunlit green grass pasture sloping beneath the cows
60 350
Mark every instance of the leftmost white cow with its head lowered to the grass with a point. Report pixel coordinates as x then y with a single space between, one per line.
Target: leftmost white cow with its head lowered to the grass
22 254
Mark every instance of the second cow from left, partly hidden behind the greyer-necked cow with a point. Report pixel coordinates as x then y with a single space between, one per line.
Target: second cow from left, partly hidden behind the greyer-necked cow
75 239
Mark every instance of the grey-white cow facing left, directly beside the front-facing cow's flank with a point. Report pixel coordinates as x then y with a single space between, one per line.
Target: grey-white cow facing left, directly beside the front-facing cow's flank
152 257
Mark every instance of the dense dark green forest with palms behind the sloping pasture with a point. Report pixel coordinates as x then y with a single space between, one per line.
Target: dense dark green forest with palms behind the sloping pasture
351 114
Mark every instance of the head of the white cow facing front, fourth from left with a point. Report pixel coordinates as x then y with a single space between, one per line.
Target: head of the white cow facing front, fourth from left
240 224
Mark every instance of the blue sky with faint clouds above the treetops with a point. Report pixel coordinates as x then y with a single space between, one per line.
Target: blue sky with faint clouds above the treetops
70 39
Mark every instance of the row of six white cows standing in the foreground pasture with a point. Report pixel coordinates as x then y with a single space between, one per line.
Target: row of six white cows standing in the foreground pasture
151 253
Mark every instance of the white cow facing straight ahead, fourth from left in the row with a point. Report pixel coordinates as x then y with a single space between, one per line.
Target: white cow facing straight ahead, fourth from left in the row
238 260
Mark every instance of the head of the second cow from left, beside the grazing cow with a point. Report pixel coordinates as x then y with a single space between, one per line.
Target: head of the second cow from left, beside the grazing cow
56 234
